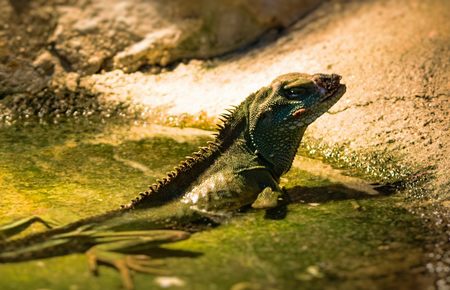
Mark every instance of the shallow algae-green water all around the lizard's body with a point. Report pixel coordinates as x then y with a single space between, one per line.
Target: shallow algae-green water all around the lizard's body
334 235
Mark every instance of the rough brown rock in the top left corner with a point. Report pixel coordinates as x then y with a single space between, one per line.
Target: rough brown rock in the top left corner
22 40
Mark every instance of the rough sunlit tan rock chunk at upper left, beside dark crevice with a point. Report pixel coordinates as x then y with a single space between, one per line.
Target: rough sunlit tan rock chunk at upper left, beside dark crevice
85 39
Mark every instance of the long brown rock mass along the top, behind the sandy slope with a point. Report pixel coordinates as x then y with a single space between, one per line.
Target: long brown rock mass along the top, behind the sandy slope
88 37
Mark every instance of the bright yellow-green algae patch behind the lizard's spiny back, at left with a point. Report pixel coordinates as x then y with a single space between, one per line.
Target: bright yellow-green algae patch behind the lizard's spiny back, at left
54 170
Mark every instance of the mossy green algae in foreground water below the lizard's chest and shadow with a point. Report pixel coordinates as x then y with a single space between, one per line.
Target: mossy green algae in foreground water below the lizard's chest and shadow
343 244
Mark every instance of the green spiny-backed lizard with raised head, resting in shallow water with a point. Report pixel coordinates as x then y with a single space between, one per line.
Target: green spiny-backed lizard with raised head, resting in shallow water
254 146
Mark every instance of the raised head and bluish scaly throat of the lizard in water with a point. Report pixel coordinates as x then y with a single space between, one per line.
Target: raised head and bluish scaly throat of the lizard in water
279 114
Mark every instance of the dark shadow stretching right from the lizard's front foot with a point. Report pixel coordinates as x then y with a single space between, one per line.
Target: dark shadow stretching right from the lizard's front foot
323 194
